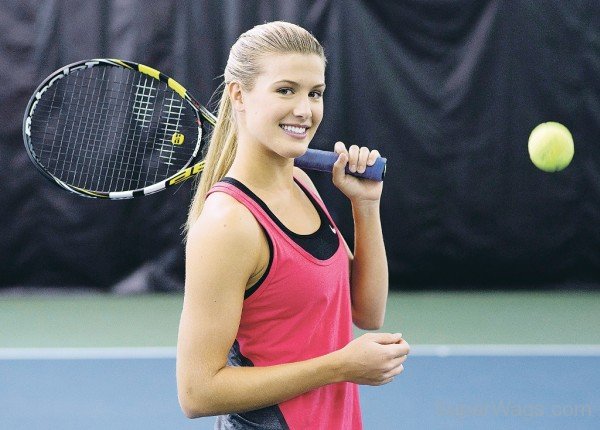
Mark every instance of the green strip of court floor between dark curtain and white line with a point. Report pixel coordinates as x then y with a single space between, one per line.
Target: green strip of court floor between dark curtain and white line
98 320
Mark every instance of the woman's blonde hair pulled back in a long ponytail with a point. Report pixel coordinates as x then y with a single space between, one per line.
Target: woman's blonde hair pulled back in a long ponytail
243 66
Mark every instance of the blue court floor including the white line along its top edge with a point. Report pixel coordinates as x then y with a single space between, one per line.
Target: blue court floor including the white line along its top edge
456 387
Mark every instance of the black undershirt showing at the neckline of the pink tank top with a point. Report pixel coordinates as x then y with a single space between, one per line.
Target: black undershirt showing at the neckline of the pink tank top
322 244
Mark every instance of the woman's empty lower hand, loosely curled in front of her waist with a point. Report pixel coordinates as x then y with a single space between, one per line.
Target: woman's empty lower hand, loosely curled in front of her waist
373 358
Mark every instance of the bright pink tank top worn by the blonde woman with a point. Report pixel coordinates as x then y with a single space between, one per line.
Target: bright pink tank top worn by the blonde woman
301 310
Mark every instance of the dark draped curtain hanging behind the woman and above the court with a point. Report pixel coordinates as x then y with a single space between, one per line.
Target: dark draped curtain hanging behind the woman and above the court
447 90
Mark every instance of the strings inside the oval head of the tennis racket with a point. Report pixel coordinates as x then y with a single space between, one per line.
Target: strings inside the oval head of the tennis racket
112 129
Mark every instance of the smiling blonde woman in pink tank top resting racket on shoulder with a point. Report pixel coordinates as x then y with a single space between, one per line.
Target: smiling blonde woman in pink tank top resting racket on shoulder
272 290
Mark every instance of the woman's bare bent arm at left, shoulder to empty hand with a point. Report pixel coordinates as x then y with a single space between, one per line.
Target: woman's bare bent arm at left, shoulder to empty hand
221 255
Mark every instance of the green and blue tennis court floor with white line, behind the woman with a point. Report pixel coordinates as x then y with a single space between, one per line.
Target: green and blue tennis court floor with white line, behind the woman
479 360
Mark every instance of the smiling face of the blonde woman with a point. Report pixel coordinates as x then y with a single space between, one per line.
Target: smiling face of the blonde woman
284 108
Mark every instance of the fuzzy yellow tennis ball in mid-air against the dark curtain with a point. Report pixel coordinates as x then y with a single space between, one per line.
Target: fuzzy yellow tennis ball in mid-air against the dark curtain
551 147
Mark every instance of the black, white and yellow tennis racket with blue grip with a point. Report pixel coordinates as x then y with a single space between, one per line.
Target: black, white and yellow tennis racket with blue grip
115 129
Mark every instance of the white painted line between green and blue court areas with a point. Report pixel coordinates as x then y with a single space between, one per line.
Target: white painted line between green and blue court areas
417 350
